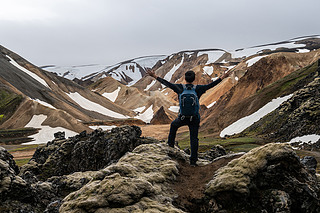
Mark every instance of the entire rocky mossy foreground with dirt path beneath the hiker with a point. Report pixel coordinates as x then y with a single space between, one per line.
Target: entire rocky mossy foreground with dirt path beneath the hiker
150 176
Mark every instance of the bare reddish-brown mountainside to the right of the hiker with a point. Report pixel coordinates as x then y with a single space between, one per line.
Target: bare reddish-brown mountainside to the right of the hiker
271 77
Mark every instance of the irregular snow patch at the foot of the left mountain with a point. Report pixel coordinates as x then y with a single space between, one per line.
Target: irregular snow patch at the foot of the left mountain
46 133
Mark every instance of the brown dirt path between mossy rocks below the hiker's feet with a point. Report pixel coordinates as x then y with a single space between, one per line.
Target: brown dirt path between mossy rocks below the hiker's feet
190 184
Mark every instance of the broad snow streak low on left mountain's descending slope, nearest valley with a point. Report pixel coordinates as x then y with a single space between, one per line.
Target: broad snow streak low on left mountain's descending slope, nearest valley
92 106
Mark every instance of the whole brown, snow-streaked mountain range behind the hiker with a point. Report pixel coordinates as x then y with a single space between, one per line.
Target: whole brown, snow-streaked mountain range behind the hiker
104 95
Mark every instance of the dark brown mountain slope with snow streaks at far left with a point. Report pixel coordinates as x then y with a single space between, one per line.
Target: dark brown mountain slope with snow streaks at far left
32 97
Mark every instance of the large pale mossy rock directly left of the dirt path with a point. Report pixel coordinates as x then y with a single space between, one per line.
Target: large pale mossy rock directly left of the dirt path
137 182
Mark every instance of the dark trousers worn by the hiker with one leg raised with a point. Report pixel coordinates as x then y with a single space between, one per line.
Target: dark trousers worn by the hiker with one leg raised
193 128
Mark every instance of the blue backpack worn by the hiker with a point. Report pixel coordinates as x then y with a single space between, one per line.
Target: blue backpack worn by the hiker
189 102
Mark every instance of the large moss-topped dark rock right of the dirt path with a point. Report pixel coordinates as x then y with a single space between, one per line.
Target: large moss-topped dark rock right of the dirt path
268 178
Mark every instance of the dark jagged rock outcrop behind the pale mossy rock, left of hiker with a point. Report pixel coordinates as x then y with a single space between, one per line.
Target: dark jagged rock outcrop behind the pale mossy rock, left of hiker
84 152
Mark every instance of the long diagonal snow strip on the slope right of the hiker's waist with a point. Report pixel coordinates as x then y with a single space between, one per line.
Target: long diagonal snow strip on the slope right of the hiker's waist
247 121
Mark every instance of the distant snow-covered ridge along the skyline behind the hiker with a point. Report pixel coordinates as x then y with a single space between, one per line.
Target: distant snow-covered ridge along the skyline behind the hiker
131 71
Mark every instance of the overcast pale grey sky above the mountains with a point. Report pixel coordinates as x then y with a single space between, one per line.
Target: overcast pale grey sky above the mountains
75 32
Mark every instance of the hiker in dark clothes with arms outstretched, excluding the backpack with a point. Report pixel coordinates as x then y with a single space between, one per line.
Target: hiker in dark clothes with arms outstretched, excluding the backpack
193 122
